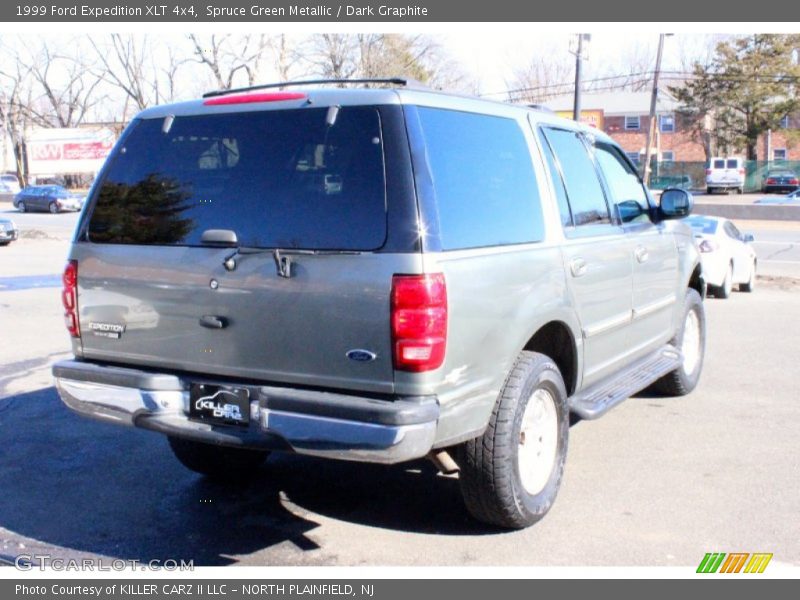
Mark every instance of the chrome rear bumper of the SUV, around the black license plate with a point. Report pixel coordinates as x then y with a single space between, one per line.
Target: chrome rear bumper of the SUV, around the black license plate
307 422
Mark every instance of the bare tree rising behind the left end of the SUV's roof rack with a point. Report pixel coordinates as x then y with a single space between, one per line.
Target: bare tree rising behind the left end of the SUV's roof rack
228 55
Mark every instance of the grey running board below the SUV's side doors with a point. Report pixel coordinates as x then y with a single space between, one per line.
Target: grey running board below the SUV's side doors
598 399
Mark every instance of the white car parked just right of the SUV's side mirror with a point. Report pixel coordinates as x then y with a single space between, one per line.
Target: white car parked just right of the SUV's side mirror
727 255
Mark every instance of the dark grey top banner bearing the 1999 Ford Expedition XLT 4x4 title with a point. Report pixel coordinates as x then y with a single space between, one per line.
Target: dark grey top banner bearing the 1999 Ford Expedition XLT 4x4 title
389 11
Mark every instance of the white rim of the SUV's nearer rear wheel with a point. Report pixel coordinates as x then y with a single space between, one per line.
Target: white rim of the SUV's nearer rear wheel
538 441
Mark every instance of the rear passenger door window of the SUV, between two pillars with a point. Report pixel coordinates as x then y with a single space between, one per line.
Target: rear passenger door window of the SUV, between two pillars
584 192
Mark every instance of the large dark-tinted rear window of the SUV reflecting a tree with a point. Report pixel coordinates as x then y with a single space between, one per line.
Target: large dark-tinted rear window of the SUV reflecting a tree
279 179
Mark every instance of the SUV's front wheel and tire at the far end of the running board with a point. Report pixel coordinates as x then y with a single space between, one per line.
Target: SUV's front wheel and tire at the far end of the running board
691 340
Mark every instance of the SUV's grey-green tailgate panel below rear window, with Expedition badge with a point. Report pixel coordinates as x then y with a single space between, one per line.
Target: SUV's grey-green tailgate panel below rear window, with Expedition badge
180 309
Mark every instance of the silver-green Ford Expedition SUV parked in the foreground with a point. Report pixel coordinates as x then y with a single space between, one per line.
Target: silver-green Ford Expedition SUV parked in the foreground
376 275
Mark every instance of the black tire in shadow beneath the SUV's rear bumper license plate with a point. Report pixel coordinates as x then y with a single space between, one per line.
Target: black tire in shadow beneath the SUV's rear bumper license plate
217 462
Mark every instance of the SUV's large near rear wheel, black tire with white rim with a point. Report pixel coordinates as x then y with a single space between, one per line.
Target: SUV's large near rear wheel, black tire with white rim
503 481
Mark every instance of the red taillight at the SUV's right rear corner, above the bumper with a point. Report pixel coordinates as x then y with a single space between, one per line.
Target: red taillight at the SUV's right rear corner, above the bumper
419 321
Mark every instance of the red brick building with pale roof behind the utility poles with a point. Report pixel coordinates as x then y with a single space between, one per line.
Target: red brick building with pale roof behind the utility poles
625 117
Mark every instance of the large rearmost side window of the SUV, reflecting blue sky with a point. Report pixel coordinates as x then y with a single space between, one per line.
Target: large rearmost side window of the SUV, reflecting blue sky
485 186
